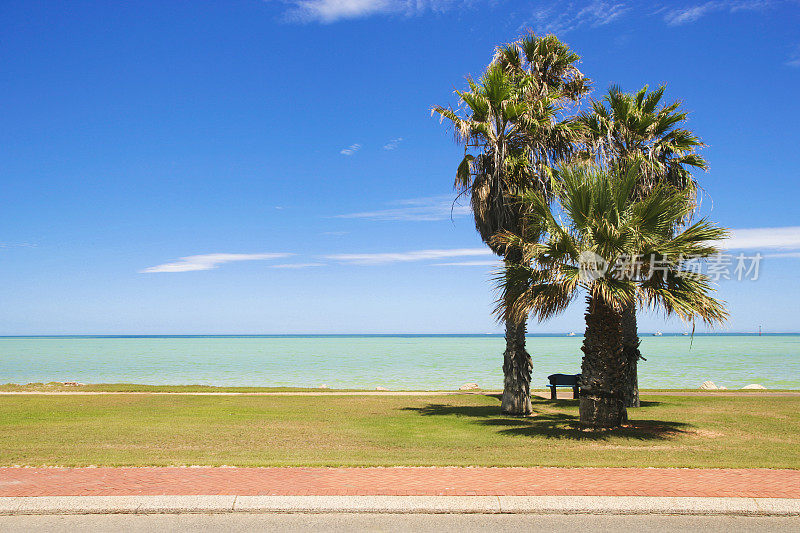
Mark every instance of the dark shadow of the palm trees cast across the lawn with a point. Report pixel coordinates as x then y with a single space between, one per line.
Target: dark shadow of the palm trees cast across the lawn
551 425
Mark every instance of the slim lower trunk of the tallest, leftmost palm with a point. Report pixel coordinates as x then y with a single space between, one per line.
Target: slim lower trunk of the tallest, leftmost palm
517 367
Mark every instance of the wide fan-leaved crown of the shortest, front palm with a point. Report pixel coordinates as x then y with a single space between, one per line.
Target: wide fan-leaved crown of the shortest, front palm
592 214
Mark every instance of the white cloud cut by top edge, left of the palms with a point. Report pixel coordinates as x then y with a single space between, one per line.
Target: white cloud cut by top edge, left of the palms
328 11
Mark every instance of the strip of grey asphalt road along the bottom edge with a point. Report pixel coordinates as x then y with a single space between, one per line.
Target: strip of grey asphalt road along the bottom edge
235 522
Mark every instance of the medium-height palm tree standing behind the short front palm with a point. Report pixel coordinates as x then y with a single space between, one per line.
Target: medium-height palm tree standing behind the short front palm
626 127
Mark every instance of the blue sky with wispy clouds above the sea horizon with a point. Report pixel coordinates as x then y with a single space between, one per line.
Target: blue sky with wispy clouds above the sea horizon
272 167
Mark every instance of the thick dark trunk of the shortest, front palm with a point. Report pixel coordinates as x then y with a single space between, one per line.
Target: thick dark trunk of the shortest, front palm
602 400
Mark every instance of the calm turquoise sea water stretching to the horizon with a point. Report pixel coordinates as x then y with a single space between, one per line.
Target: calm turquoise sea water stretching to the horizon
395 362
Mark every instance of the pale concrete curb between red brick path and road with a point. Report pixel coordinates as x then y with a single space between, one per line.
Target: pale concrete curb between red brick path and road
45 505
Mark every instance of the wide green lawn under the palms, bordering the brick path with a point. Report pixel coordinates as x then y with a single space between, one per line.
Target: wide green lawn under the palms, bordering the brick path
124 429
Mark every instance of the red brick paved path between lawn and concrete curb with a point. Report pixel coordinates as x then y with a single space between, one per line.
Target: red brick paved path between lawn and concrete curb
401 481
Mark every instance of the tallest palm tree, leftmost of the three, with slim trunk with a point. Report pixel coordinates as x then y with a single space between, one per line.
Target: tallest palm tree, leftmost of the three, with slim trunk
508 123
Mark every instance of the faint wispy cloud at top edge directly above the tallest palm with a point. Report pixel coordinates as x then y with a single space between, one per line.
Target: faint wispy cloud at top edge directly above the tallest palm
561 17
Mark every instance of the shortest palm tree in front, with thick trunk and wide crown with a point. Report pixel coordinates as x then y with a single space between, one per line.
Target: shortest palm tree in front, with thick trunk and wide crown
623 250
